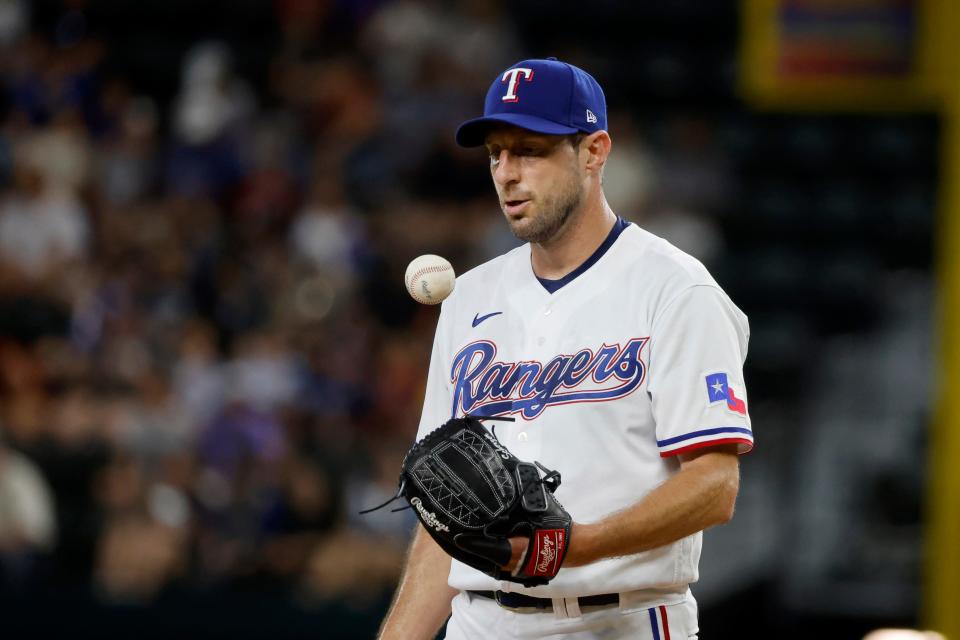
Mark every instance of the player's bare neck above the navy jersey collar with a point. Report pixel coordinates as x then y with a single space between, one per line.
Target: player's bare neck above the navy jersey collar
574 243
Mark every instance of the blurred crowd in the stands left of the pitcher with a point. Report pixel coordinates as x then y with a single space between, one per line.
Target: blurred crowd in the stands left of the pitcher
205 370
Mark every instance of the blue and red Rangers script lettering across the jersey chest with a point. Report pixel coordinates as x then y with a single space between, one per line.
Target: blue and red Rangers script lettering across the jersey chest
488 388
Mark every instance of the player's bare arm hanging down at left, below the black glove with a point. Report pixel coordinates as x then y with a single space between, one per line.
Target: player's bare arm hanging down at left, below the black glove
422 602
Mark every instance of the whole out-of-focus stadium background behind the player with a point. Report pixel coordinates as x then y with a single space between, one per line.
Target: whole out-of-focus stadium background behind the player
209 363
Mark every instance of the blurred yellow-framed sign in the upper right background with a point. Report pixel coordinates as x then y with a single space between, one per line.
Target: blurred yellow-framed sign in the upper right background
863 55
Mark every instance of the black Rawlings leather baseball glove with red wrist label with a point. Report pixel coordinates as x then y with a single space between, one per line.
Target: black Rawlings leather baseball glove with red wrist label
472 495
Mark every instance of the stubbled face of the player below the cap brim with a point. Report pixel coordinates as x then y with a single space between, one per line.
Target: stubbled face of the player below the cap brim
538 179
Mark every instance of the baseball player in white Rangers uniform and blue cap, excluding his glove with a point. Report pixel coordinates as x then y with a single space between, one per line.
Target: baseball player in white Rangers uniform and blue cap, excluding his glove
620 359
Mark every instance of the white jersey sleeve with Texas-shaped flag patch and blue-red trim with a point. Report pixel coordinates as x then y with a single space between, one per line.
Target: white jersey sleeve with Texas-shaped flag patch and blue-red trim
697 350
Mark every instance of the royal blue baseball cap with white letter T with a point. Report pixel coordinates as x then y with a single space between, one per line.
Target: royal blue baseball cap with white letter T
546 96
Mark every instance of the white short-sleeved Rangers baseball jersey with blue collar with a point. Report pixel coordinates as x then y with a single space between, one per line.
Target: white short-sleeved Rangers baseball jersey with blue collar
633 358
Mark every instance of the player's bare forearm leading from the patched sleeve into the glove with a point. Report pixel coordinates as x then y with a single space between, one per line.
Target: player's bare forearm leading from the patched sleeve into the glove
700 495
